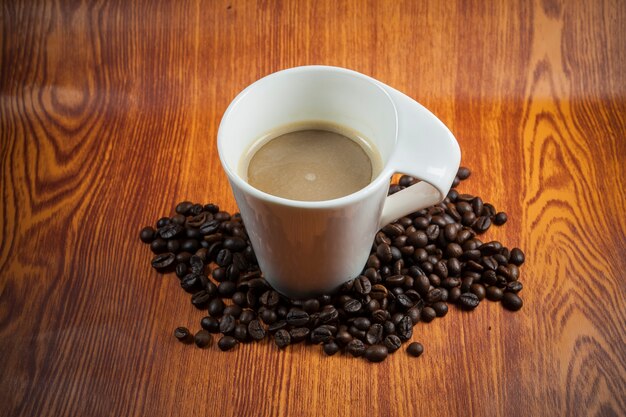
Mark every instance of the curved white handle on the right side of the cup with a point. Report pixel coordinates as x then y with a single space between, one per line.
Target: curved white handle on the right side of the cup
426 150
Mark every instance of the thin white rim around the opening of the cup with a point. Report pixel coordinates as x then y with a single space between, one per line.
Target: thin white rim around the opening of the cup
384 175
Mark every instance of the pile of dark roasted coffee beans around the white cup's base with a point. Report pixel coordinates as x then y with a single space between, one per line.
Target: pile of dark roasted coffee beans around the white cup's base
419 265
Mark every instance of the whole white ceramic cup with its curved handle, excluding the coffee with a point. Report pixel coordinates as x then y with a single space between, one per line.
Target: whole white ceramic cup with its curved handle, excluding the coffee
309 247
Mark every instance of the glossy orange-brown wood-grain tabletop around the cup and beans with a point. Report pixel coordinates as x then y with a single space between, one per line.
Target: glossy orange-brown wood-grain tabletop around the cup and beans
109 113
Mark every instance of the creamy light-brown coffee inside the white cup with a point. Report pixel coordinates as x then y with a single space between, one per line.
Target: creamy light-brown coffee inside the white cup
311 161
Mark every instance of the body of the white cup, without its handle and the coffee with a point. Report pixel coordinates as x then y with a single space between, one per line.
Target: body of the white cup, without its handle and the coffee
308 247
